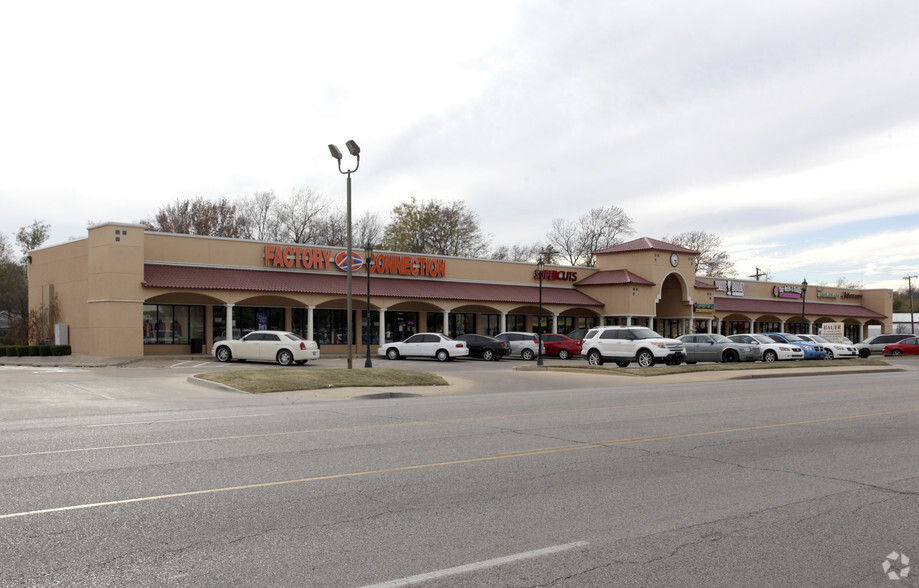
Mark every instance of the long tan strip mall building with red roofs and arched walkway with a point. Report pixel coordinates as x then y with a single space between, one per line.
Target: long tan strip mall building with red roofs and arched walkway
125 292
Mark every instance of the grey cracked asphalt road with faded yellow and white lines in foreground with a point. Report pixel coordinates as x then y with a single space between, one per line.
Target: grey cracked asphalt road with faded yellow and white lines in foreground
136 477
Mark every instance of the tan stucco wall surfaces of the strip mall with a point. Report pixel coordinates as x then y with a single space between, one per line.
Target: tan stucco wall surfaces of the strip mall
98 280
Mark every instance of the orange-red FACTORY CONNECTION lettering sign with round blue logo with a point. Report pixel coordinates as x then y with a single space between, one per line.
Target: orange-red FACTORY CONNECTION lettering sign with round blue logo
291 257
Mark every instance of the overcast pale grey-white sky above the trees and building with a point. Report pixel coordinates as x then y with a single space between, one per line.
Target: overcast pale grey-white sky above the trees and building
790 129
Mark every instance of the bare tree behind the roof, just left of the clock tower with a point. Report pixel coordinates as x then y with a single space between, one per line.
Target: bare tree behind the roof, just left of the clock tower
598 229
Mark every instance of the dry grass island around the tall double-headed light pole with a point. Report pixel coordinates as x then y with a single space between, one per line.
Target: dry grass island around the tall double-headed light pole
301 378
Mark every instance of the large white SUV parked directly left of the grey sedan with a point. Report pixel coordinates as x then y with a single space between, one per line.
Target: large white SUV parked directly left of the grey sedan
627 344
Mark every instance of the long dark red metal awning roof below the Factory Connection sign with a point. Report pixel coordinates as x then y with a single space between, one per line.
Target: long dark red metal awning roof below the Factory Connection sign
252 280
